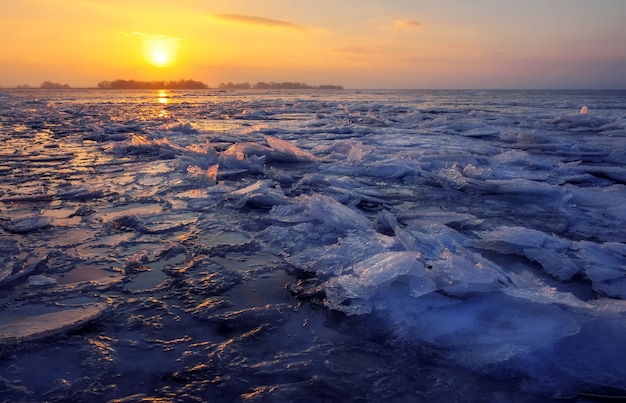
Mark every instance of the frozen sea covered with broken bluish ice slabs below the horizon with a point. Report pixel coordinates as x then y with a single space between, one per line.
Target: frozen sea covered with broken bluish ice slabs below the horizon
321 246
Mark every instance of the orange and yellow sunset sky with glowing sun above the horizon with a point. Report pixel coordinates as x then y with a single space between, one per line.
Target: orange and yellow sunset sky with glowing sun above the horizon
411 44
